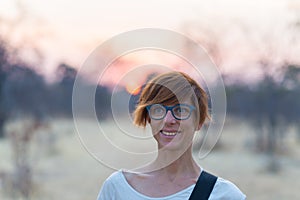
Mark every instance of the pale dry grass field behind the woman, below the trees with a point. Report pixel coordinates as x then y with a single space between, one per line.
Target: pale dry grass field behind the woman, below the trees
63 169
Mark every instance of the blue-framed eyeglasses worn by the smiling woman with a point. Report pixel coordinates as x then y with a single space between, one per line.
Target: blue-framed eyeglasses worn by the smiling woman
179 111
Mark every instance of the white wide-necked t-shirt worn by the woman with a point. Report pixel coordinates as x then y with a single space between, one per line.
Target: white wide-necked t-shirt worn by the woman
116 187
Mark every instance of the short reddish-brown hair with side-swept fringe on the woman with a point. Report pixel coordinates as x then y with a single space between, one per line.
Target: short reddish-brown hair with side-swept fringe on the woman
171 88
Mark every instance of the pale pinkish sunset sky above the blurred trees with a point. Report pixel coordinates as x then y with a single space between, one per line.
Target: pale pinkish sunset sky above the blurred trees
68 30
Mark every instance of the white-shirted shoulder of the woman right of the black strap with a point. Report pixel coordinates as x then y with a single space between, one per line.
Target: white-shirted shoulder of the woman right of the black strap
225 189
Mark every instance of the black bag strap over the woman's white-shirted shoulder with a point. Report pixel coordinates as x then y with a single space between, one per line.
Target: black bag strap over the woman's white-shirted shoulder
204 186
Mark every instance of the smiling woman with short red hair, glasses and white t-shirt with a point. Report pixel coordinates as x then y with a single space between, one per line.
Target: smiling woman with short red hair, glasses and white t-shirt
176 107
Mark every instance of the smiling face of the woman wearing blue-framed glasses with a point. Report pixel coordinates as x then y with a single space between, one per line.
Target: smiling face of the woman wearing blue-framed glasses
173 134
